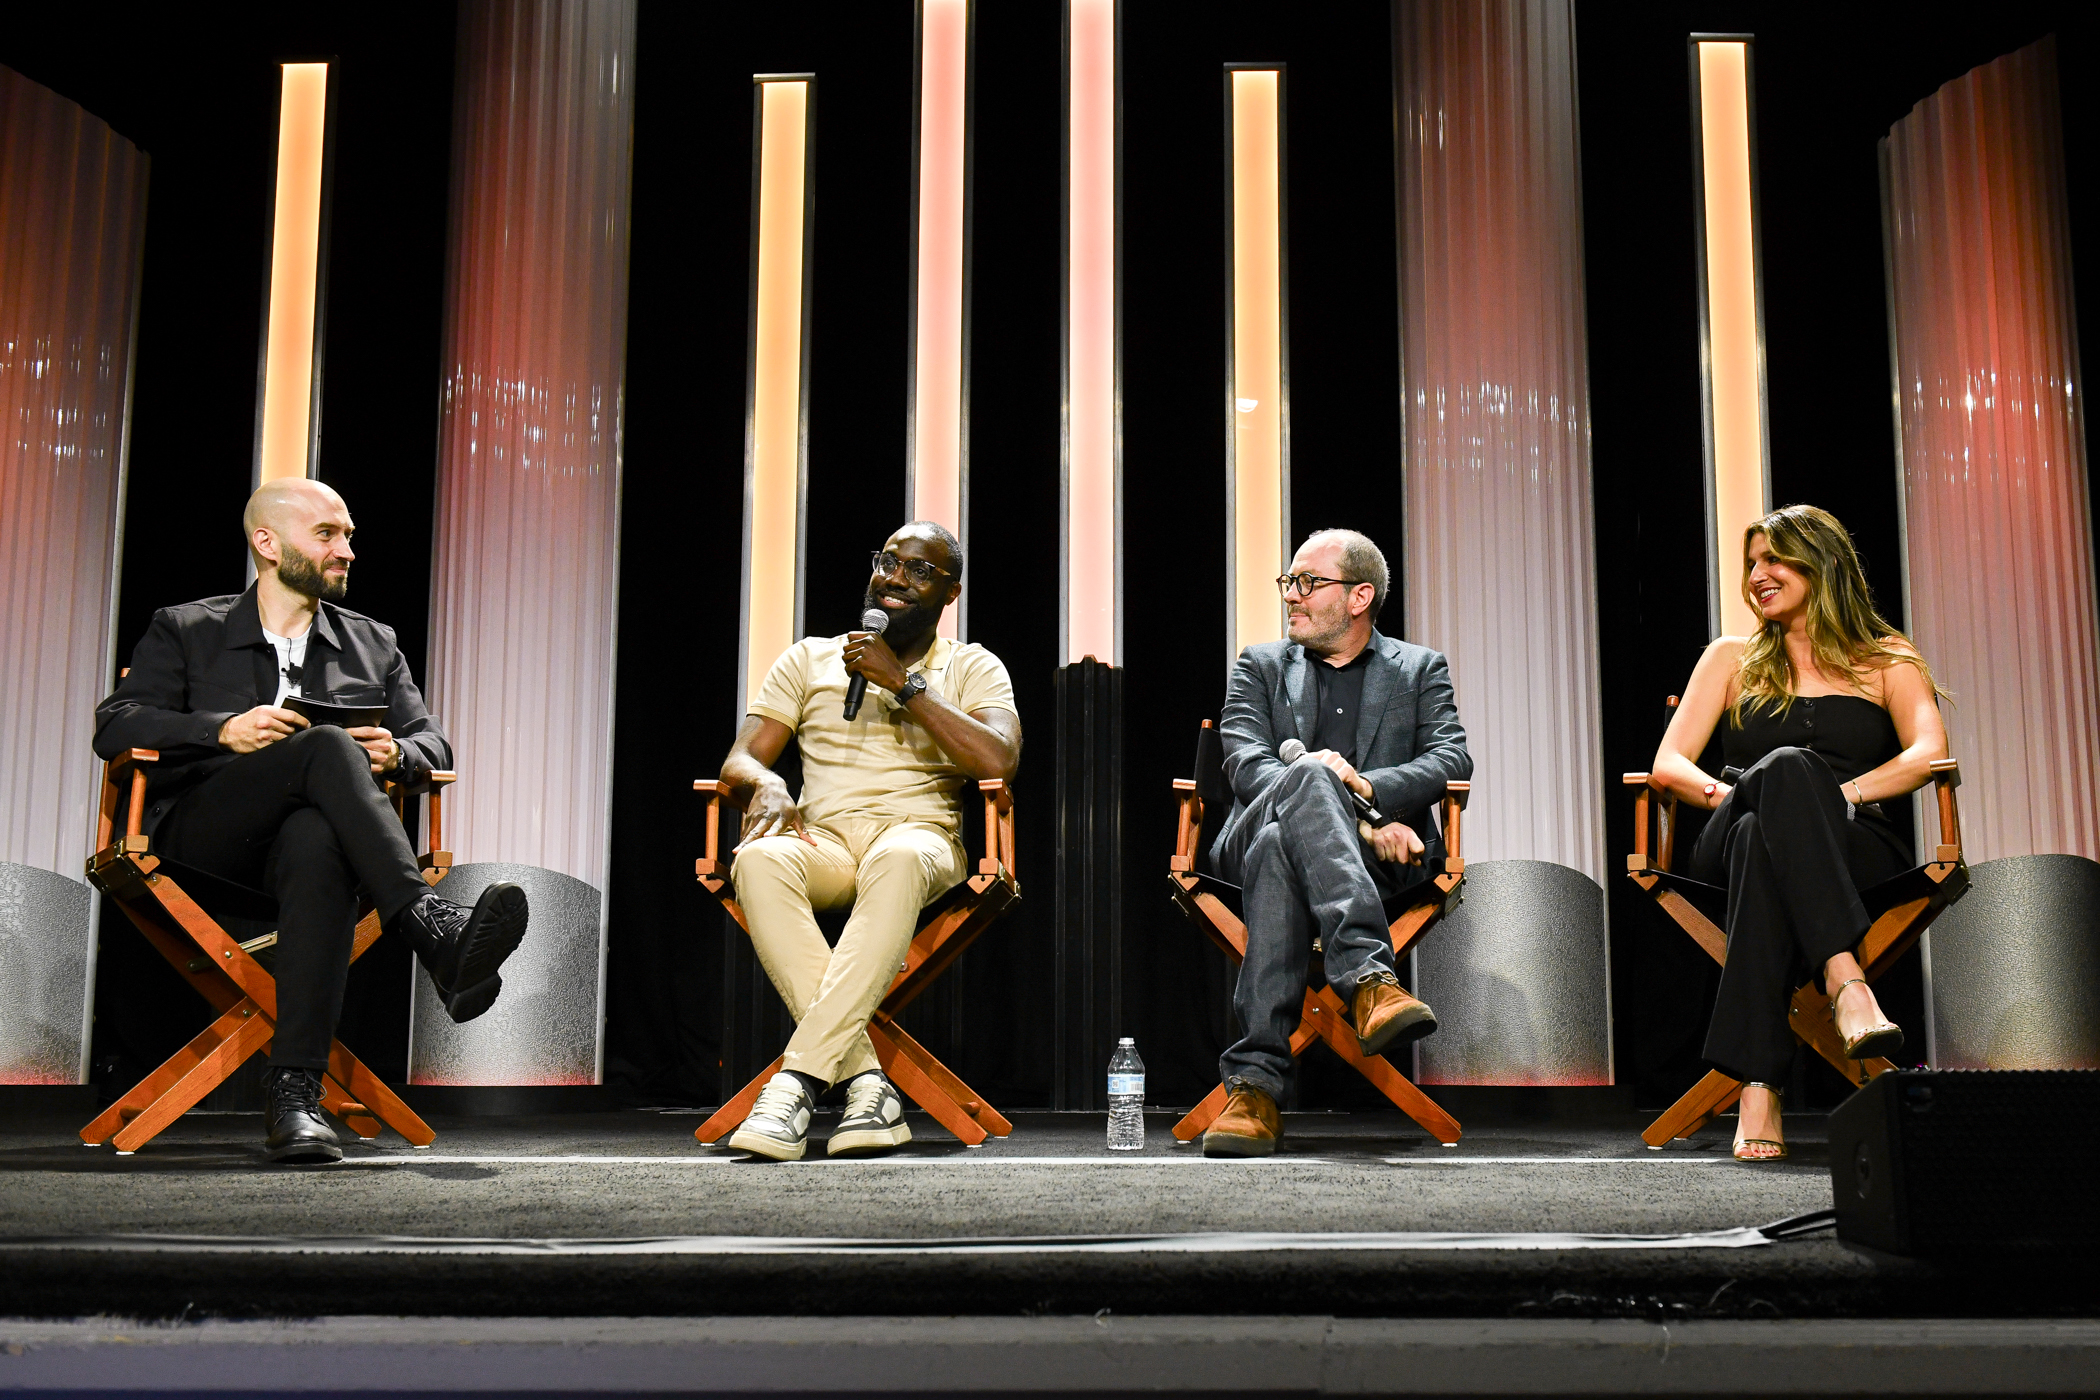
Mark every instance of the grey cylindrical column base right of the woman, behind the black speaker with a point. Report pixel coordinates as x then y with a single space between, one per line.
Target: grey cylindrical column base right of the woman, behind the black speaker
2013 971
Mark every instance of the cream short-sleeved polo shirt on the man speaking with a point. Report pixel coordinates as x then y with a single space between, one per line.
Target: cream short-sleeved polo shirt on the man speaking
883 763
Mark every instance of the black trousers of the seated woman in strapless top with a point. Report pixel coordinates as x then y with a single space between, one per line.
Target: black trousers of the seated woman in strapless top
1794 870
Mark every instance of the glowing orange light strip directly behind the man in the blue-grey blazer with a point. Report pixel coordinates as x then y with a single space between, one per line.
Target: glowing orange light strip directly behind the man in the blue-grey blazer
1259 517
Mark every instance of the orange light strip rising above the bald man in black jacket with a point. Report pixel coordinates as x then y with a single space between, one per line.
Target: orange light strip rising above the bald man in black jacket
295 270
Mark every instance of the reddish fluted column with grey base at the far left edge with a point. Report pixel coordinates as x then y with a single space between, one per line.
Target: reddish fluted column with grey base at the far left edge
72 211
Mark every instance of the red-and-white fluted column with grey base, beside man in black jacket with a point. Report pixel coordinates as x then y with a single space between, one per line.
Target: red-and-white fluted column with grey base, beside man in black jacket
524 593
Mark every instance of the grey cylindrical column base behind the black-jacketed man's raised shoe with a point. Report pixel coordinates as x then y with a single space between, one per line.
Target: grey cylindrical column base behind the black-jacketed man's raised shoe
547 1023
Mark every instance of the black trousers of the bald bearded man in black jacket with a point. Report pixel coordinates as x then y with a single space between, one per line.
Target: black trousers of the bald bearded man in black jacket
306 824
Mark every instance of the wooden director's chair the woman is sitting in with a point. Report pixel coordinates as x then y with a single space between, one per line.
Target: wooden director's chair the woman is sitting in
1902 910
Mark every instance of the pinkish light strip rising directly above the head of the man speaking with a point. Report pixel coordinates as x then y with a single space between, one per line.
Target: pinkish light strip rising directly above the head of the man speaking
938 406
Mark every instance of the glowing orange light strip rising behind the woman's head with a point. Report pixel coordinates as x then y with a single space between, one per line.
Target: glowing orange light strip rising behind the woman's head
1734 324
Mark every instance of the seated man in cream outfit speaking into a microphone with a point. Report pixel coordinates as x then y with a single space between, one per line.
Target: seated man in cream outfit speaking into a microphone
894 723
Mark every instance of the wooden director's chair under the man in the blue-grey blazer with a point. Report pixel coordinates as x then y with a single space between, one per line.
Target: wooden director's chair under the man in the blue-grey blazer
1213 906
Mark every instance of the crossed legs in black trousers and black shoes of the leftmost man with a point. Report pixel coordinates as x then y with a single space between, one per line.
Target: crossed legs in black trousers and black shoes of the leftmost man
303 822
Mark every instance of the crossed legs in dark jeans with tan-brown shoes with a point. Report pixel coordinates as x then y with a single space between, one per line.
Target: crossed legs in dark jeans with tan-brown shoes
1303 870
